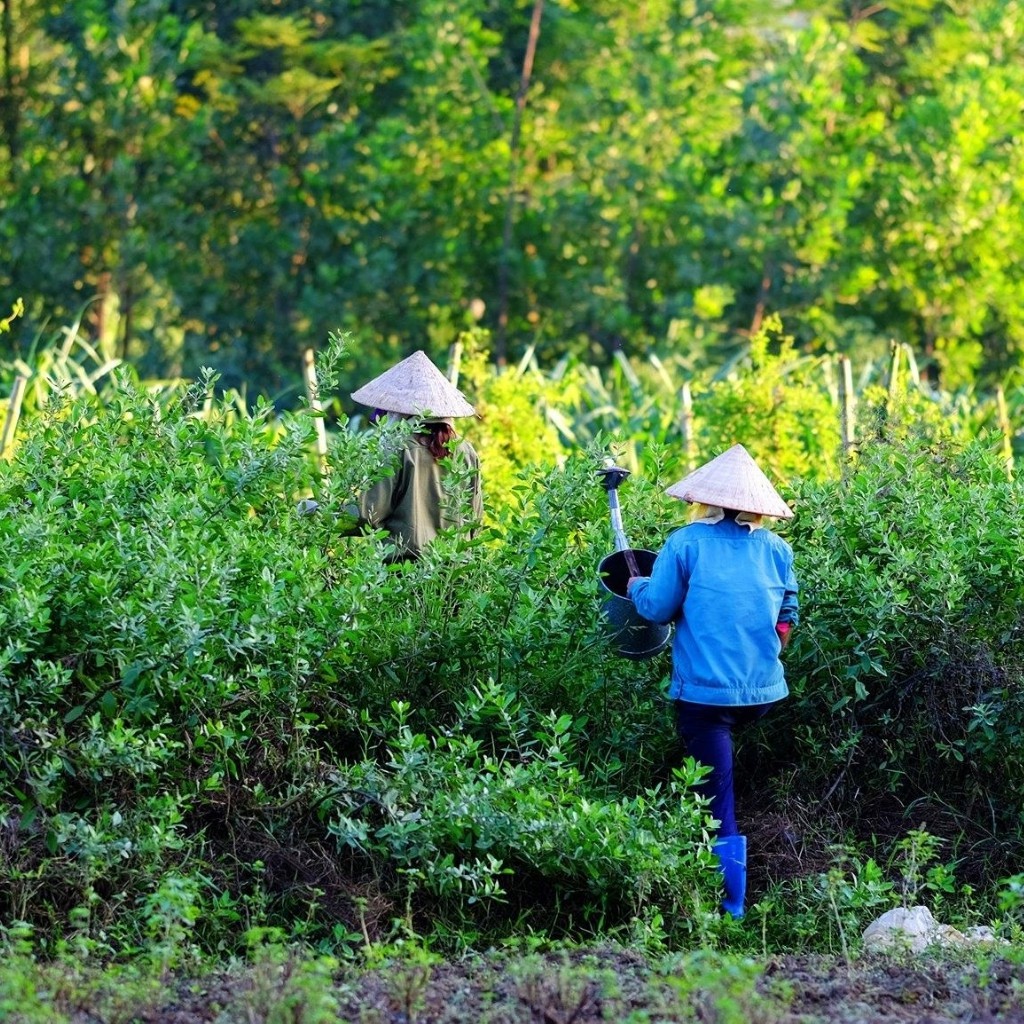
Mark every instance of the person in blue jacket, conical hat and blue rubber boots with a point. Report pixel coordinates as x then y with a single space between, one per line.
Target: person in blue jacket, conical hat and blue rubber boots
729 585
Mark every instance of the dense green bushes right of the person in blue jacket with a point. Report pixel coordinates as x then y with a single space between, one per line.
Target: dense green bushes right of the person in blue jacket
907 668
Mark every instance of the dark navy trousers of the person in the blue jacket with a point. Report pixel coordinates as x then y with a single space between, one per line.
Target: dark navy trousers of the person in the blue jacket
706 732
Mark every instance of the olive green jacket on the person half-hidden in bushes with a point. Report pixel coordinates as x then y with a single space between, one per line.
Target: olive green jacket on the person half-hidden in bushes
424 497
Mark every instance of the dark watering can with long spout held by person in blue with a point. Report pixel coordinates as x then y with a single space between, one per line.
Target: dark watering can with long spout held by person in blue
631 634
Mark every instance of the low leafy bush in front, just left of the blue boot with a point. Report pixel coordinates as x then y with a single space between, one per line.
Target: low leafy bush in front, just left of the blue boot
468 827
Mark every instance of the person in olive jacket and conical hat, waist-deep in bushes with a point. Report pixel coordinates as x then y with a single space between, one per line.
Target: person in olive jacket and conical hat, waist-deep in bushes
437 484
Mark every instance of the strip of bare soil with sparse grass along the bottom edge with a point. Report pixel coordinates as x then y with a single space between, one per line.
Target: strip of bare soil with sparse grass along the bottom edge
602 983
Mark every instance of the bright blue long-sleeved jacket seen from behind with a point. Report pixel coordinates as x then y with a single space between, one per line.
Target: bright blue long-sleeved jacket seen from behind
726 587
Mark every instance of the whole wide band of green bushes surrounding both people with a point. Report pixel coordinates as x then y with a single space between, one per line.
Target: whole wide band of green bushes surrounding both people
225 718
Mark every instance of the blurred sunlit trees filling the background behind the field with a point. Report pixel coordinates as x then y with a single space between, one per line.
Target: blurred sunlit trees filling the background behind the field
225 186
